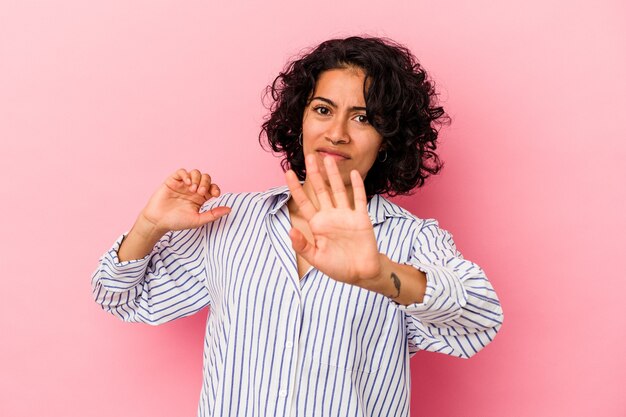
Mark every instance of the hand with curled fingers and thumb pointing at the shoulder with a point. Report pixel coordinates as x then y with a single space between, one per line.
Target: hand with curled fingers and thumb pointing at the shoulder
175 204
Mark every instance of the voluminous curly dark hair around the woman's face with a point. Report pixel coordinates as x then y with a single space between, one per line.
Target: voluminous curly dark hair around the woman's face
400 104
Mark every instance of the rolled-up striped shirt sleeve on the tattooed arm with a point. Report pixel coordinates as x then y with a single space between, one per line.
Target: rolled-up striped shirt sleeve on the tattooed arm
460 313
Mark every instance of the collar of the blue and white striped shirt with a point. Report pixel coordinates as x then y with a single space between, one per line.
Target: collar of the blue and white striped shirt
378 208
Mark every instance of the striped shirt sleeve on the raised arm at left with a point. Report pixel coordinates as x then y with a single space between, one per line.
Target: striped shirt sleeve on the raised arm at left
167 284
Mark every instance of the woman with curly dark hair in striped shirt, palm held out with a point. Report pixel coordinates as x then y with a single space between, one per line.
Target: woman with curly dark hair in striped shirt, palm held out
321 290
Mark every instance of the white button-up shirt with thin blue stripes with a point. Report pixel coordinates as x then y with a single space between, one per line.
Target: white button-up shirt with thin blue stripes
277 345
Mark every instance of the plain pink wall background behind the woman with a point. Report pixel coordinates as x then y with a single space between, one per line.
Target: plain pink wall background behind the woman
99 101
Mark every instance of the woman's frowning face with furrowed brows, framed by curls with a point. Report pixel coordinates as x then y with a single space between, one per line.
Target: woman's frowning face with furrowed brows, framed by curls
335 123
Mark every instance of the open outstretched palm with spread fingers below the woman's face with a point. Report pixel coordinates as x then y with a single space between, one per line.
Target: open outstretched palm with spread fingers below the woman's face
344 245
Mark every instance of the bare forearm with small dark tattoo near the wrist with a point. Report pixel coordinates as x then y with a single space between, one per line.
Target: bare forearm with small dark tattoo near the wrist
402 283
